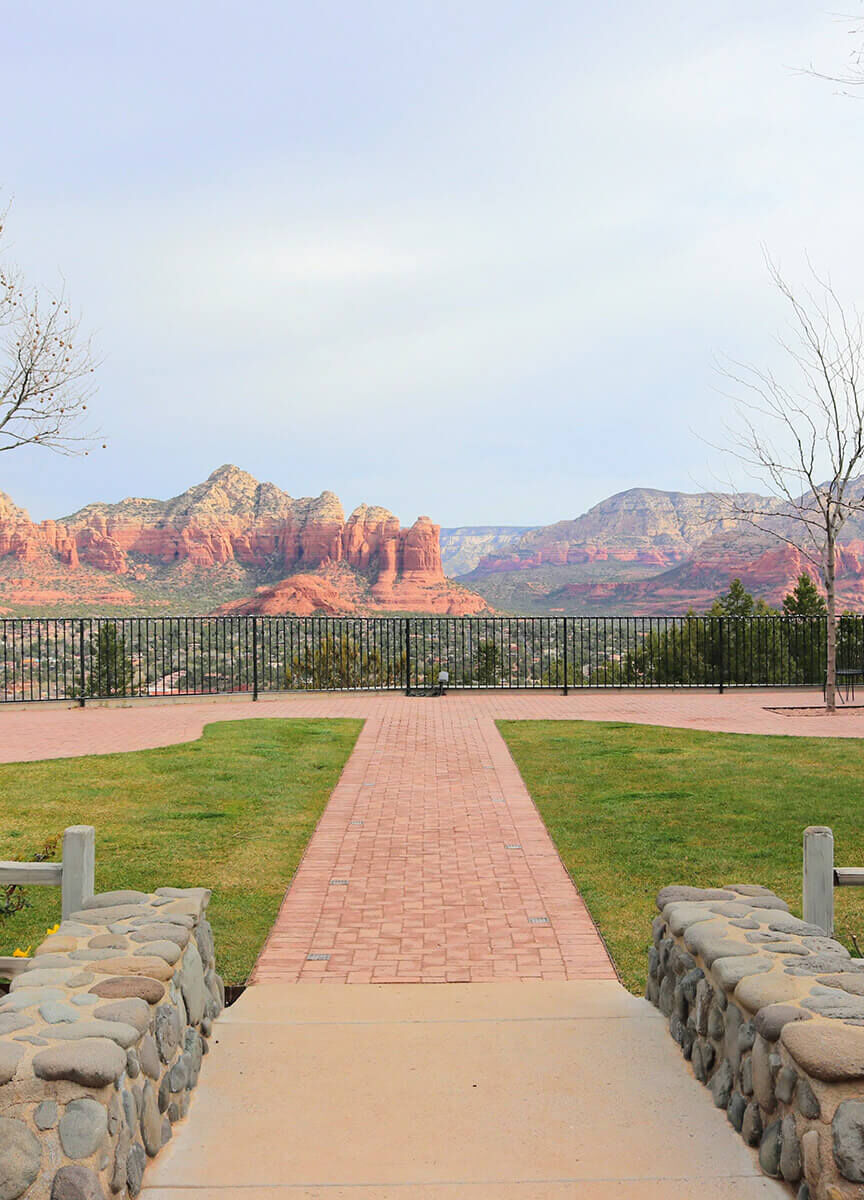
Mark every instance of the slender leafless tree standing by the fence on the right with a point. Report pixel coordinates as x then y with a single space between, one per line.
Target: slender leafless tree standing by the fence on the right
805 441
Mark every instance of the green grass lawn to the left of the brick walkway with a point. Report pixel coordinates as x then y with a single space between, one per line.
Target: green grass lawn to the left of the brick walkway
232 812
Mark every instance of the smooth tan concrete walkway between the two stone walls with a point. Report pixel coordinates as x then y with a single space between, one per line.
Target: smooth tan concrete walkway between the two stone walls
526 1091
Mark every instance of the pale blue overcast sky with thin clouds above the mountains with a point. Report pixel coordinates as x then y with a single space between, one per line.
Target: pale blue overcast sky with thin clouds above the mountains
472 259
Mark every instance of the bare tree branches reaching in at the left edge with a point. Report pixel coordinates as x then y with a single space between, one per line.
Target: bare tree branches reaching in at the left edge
46 370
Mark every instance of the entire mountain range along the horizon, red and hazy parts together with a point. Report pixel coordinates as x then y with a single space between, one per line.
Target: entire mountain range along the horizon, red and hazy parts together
235 545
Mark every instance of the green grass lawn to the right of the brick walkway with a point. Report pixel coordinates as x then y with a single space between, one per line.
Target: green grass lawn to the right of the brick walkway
633 808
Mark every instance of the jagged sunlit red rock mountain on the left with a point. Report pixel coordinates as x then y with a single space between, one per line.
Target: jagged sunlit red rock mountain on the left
220 541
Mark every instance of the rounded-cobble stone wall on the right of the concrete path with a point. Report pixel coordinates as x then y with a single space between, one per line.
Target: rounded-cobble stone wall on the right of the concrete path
770 1013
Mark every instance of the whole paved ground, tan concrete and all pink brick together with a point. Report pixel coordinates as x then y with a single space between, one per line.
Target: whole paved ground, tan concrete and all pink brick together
535 1076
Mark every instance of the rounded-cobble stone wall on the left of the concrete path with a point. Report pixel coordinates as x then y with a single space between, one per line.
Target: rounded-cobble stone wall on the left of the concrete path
101 1043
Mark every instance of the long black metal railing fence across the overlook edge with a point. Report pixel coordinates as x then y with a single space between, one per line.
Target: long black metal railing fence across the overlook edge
81 658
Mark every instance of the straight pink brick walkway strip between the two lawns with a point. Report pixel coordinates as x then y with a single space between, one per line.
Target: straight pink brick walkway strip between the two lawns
431 865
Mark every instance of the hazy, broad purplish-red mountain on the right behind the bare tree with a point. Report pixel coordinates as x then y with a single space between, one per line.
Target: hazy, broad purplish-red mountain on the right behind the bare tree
647 551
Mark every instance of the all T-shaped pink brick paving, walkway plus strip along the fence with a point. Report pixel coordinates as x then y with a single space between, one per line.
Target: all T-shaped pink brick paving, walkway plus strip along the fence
449 869
